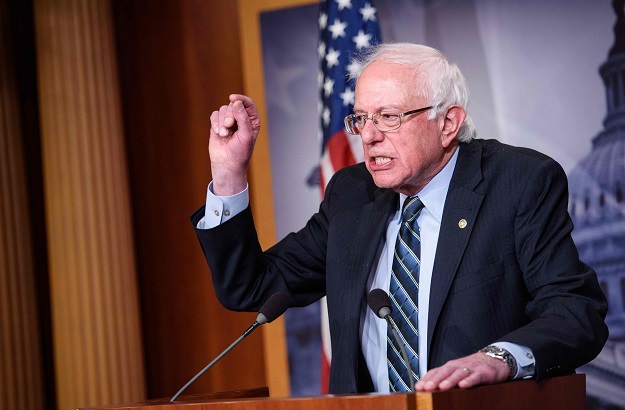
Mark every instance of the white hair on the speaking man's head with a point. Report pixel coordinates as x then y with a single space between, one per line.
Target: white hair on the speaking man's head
444 83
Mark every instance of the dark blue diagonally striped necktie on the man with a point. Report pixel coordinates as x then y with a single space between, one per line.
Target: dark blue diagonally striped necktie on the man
404 291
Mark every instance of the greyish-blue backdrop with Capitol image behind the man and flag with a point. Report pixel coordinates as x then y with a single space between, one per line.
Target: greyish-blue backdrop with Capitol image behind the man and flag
533 71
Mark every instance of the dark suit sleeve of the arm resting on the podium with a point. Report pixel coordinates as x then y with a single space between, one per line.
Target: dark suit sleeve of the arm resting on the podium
567 307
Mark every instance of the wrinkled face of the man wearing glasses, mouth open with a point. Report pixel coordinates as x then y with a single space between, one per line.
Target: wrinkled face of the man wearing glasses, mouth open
407 158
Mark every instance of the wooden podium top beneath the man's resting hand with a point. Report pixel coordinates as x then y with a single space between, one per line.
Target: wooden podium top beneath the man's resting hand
566 392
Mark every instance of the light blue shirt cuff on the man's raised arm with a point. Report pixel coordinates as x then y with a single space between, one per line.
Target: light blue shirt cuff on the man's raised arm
219 209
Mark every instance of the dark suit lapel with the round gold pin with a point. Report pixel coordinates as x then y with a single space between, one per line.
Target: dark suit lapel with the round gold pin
459 214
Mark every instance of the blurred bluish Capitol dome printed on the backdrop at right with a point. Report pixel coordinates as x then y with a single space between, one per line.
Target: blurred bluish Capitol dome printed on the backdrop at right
597 207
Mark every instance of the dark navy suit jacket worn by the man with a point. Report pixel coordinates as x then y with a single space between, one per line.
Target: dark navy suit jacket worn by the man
512 274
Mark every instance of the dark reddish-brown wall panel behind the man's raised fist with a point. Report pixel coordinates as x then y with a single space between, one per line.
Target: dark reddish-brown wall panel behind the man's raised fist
179 60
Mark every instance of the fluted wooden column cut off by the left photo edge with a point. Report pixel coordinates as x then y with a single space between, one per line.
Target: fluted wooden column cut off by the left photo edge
21 380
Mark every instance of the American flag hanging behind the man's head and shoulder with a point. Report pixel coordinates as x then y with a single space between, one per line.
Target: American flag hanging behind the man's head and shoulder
346 27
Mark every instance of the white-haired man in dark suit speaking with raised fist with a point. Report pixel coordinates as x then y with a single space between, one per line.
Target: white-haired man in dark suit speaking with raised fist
498 290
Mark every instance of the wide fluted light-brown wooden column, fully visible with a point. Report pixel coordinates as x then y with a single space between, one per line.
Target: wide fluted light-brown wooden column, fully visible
94 301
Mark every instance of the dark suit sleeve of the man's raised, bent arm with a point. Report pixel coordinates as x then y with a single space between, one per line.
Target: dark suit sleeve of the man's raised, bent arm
244 276
